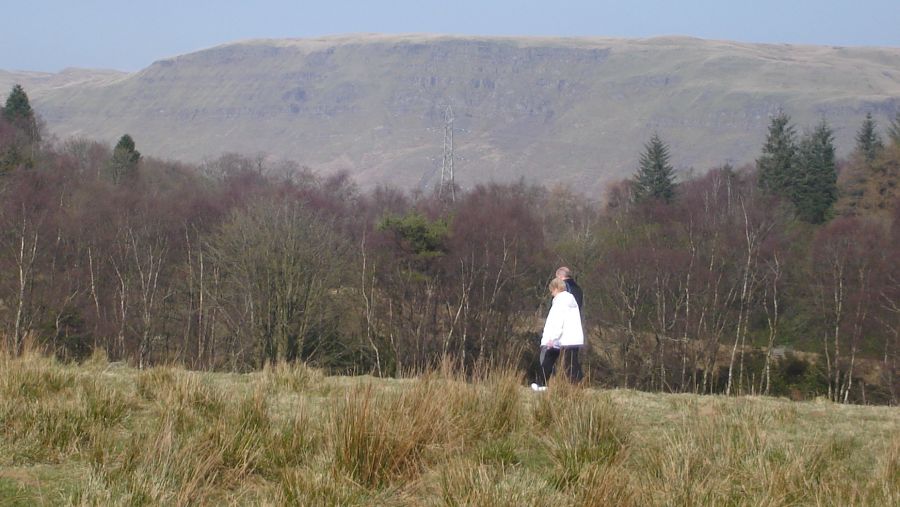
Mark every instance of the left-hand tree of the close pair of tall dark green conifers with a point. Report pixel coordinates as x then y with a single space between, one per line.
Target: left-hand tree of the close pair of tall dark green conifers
776 164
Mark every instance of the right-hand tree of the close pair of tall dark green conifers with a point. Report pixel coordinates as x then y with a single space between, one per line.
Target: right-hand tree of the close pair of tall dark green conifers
815 186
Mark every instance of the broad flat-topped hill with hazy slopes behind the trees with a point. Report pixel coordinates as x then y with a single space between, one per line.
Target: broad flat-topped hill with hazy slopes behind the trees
569 110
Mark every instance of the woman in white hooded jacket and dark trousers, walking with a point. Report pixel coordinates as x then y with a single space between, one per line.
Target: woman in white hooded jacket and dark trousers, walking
562 329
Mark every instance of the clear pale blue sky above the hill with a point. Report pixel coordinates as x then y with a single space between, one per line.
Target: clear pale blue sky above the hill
51 35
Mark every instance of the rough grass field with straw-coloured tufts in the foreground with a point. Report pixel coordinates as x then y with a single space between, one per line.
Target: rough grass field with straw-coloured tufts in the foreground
107 434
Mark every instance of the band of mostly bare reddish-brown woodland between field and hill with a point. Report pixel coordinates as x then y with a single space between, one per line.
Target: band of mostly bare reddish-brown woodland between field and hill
779 278
